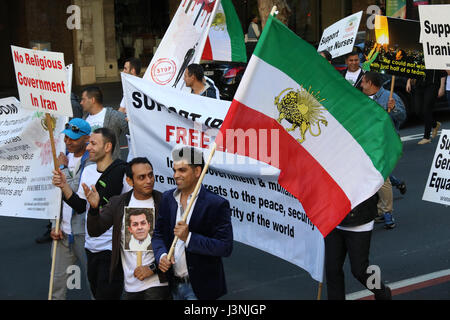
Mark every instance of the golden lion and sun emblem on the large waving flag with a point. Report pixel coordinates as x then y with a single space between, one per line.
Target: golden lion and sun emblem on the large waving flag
303 110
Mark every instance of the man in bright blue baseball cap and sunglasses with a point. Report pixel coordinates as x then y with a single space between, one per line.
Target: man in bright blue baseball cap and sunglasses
71 235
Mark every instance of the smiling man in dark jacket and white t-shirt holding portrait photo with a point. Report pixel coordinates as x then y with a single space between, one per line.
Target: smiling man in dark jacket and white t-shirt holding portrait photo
142 282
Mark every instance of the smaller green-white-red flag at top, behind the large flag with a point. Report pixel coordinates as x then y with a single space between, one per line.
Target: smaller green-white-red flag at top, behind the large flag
225 40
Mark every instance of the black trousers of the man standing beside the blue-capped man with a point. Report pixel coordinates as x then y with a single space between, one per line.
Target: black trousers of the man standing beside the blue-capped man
98 265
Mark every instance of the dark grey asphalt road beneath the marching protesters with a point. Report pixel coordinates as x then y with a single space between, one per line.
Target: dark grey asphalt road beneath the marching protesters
419 245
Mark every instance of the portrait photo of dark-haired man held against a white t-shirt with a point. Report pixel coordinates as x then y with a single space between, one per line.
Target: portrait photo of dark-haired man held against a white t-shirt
139 224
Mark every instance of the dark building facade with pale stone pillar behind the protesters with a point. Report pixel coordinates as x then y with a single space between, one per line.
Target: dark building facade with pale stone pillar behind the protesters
98 35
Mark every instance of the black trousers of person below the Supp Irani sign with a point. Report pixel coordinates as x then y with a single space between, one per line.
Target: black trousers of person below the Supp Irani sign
424 99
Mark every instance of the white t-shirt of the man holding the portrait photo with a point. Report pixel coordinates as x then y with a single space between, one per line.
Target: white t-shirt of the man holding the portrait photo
129 259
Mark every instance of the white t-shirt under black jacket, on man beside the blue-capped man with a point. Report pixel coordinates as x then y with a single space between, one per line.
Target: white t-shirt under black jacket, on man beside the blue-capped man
104 242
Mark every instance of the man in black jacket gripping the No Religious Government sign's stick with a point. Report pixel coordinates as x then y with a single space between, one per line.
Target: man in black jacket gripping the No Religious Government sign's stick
107 178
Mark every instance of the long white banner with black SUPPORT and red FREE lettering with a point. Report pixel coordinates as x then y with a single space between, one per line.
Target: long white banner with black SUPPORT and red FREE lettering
264 215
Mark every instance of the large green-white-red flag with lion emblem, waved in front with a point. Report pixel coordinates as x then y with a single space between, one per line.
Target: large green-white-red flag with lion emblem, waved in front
336 146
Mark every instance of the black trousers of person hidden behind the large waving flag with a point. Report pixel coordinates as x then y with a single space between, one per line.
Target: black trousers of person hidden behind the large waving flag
357 244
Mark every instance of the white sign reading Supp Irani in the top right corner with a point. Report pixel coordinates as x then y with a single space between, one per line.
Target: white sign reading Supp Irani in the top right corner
435 35
